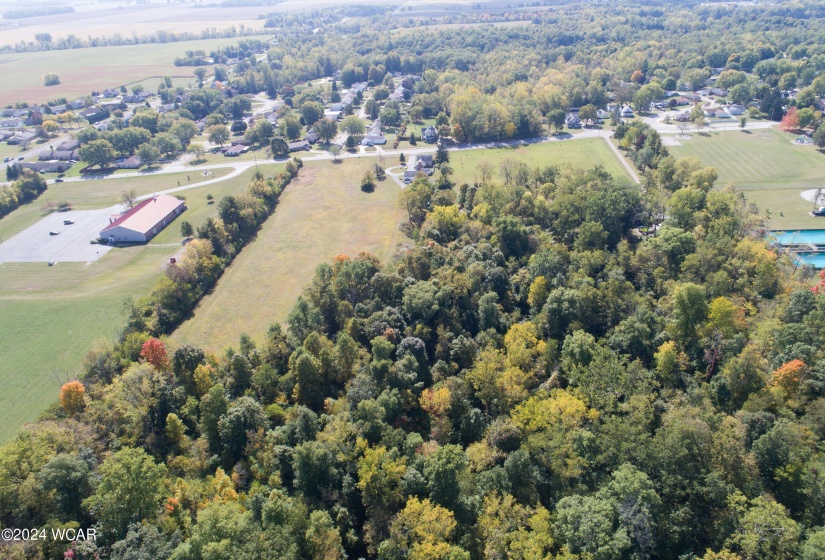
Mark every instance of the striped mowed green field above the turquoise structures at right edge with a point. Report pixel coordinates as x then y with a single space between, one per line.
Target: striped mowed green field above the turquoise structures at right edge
769 167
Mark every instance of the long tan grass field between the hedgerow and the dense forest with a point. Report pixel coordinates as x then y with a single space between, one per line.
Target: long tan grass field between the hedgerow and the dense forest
321 214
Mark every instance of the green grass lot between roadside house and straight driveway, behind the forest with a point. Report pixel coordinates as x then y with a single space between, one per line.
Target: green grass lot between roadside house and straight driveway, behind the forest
580 154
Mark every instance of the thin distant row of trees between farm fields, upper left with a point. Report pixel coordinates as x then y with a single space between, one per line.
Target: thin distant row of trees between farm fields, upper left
115 40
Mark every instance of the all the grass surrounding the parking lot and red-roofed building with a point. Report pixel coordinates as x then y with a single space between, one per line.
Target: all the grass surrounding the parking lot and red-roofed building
51 316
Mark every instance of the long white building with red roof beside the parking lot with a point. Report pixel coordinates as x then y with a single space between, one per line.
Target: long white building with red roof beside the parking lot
142 222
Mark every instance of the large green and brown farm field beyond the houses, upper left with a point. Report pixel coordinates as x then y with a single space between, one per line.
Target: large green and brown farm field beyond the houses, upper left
82 71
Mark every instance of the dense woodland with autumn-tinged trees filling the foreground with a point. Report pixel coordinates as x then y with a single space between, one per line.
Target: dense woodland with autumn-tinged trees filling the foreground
531 380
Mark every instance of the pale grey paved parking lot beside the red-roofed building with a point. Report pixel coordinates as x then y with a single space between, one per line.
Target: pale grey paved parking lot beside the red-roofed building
34 244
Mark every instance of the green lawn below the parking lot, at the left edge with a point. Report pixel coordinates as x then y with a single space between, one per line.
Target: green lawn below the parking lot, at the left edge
52 315
